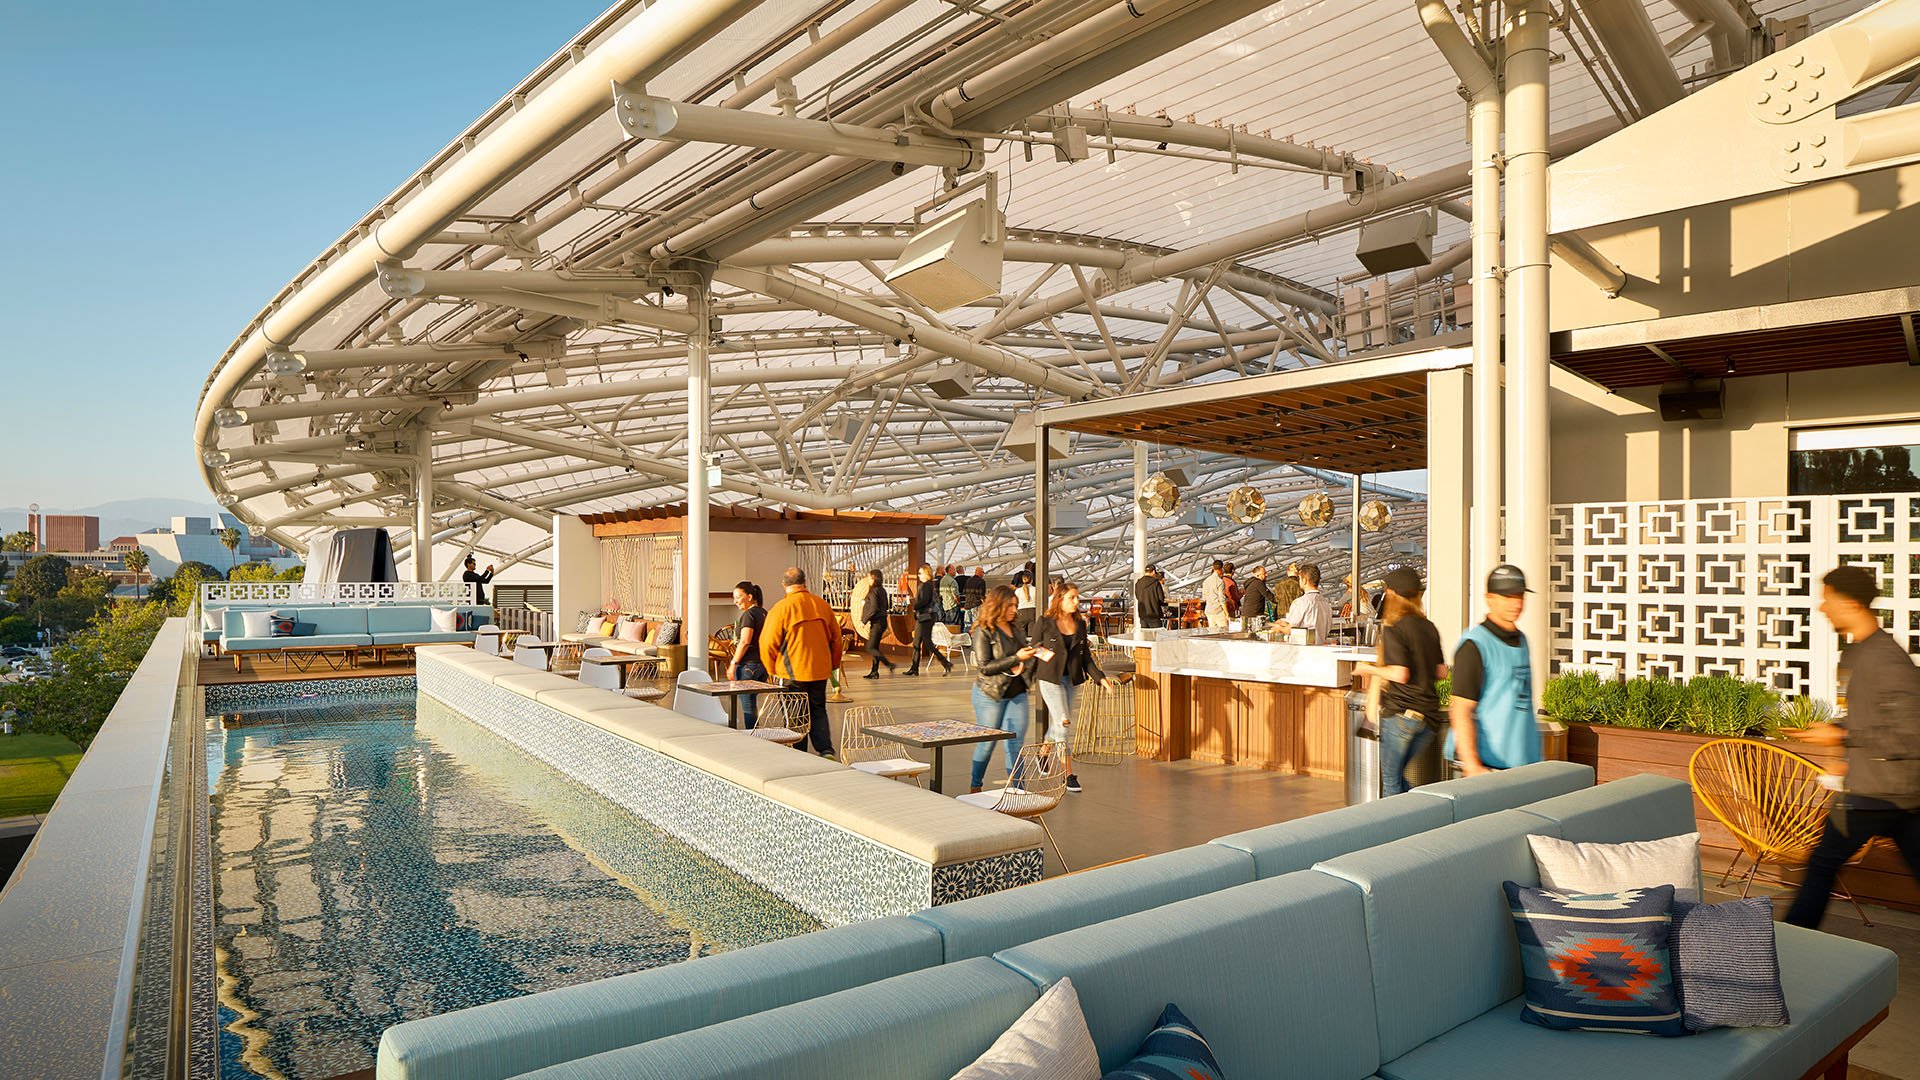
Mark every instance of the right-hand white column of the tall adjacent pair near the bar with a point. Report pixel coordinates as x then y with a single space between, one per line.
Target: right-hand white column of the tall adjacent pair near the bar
1529 493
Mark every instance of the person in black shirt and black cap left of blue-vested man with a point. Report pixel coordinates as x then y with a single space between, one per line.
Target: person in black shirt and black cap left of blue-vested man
1410 668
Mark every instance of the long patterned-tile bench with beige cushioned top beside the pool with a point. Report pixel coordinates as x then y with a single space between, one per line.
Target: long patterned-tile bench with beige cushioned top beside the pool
836 843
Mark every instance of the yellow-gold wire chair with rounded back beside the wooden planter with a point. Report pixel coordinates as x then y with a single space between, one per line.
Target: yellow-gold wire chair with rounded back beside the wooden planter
1773 802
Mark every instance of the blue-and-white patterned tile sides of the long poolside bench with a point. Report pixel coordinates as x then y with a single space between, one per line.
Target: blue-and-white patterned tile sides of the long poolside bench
830 873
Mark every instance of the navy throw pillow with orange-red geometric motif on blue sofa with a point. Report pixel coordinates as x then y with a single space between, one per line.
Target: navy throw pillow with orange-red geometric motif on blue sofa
1598 962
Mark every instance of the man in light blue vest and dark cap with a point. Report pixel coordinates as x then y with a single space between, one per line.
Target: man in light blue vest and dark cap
1495 685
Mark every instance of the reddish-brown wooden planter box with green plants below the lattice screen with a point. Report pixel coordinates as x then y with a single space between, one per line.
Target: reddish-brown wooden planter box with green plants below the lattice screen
1623 752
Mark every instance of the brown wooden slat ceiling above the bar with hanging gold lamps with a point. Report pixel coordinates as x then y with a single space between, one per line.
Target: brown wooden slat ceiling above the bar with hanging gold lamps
1372 426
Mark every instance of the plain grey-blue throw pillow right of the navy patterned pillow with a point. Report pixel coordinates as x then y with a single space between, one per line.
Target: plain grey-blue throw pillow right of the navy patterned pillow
1727 968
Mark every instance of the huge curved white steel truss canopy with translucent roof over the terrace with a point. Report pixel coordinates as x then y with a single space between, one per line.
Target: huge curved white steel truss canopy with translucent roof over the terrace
706 195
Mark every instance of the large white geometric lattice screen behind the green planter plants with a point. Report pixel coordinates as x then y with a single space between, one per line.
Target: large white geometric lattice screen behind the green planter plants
1727 587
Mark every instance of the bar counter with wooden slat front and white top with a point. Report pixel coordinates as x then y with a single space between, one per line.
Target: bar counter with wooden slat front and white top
1230 699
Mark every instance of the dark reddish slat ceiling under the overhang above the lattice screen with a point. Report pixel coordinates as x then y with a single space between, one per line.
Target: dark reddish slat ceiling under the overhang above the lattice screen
1760 353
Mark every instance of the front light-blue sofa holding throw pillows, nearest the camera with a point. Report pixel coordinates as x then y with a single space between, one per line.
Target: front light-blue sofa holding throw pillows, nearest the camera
1395 962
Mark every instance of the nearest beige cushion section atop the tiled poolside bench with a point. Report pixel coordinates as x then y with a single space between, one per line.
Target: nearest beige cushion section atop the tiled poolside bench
921 823
